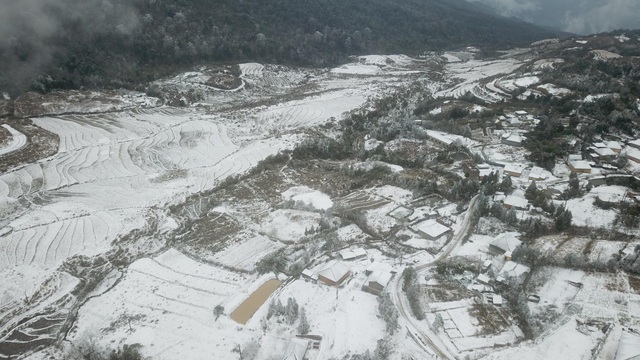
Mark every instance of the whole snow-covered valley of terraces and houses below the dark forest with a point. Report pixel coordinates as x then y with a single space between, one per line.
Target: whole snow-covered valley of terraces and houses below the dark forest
474 209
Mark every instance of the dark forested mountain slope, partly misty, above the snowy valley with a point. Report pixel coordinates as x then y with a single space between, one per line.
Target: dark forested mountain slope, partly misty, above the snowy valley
63 44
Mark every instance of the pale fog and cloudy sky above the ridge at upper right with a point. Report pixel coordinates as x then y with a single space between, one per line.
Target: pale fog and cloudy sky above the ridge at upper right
576 16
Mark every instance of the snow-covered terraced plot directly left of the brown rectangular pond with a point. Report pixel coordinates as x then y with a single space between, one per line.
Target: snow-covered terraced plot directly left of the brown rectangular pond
168 301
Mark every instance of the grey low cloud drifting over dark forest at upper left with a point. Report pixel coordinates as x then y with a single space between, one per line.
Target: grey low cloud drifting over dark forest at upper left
31 31
